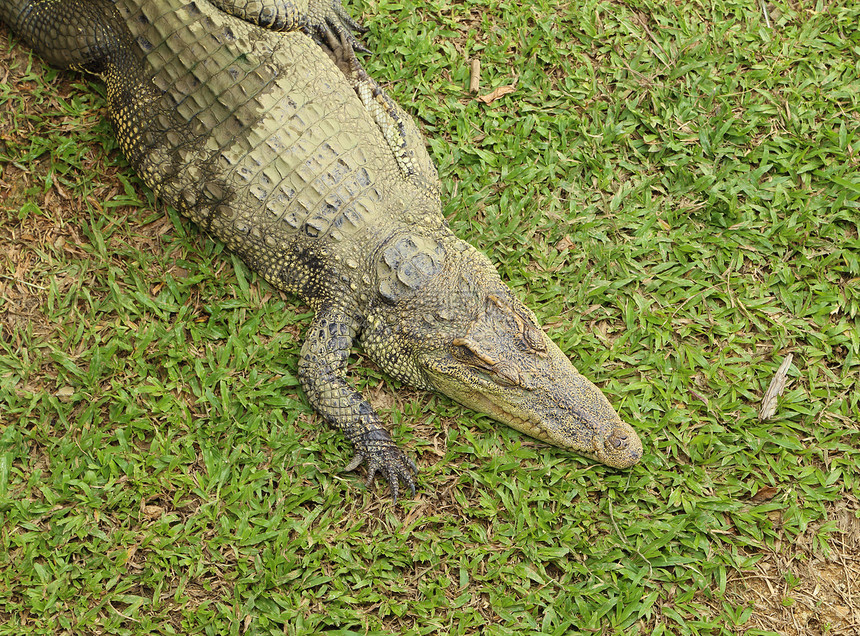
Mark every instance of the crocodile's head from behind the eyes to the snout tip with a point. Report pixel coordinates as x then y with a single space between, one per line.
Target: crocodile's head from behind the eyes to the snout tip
505 366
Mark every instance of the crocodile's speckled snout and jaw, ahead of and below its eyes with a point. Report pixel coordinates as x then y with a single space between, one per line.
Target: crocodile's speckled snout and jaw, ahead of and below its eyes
554 403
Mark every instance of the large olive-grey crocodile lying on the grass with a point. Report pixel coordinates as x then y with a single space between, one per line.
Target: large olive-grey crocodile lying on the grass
256 120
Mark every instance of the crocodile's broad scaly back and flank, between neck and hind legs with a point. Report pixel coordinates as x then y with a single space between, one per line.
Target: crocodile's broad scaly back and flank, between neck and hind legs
259 137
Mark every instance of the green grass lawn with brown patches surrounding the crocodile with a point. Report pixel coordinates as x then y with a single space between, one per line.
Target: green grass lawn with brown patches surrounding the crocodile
673 187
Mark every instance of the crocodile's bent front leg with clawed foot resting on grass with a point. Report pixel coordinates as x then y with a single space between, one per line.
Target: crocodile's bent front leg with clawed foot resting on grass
322 372
